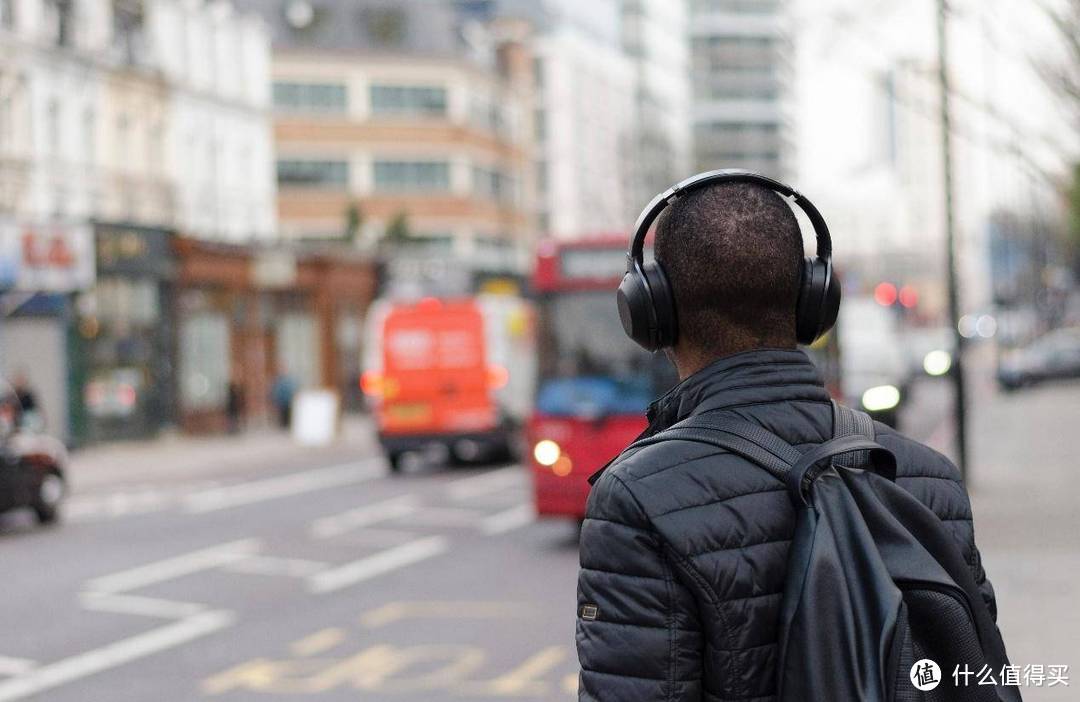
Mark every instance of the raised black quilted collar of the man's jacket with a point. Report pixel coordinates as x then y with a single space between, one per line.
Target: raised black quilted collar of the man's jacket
750 377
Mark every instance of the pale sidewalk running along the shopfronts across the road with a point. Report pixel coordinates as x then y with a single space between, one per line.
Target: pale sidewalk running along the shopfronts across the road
183 458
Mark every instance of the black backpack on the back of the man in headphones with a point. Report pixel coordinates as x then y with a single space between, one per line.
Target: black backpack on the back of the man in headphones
875 583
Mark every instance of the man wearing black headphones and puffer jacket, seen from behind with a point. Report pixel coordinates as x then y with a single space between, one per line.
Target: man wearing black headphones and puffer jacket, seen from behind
685 547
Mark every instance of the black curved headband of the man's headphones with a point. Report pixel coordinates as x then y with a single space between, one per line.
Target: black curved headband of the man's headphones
669 197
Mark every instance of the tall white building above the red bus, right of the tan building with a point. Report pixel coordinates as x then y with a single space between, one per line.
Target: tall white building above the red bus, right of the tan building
585 117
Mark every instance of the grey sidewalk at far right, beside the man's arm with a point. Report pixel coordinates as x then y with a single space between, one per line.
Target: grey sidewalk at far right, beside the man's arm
1024 489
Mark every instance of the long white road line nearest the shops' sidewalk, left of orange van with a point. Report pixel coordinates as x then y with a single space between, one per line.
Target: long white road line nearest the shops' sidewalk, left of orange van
278 488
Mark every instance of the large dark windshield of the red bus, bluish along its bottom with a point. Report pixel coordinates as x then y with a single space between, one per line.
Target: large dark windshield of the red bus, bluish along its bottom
588 367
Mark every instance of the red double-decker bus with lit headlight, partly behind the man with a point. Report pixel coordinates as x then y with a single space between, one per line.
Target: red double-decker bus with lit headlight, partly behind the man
593 384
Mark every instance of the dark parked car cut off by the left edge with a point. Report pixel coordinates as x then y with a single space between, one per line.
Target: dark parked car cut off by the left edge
32 465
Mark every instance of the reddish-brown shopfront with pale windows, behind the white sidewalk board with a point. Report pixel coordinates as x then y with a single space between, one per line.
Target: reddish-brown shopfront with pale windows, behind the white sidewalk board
249 316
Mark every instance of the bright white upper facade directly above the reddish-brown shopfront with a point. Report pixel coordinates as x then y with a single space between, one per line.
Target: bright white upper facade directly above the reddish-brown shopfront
221 144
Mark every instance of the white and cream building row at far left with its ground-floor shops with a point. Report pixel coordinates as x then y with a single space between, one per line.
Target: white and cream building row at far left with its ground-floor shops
123 123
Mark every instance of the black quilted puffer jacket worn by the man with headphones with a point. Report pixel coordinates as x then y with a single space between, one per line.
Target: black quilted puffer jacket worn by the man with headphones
684 548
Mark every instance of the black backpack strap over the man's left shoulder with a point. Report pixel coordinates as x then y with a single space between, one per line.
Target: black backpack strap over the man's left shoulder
745 439
